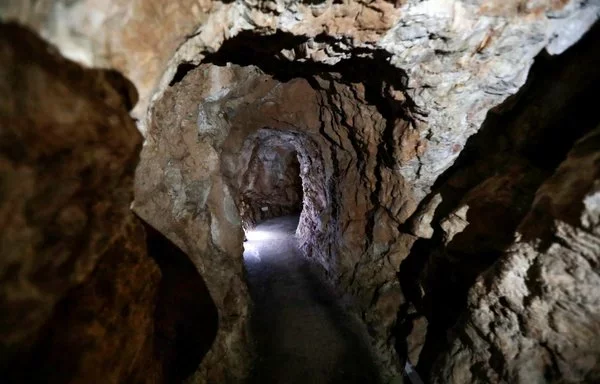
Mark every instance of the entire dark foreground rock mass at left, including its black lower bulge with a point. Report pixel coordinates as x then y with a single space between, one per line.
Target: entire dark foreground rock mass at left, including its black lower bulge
83 300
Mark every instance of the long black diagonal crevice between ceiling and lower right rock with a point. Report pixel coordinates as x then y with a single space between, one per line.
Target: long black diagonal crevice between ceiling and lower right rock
520 144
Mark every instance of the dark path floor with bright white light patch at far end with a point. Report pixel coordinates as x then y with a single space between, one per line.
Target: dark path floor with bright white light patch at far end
302 333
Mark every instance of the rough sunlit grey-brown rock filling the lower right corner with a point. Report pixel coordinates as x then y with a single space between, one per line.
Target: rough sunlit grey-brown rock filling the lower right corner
535 316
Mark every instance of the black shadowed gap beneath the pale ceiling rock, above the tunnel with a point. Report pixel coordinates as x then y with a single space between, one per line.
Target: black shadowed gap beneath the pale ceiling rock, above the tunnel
368 66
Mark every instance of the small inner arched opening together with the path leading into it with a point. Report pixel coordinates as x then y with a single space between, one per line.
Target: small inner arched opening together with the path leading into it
301 332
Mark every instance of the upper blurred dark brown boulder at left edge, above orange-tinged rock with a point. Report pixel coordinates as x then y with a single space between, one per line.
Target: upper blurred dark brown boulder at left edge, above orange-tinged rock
65 187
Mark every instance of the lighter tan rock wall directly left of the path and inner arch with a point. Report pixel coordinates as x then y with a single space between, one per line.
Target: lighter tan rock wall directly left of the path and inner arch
181 192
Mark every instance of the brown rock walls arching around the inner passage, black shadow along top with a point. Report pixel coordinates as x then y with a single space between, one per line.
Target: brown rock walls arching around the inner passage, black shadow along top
351 126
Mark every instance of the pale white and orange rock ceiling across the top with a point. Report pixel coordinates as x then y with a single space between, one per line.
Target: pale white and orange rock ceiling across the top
461 57
